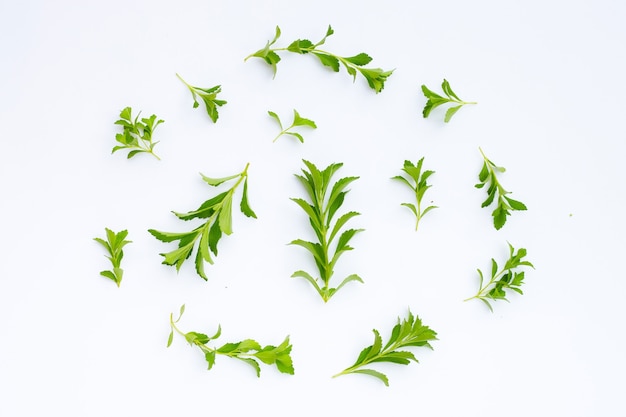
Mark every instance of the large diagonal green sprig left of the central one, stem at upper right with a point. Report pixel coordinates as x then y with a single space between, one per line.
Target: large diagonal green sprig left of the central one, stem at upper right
216 213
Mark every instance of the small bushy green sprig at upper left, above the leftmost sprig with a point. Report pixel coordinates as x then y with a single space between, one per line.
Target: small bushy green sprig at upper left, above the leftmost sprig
136 134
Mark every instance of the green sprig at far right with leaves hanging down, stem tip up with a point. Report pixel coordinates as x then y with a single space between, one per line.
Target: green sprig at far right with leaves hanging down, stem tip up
488 177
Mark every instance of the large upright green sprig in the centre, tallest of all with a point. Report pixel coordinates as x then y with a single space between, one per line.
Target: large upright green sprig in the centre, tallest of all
321 209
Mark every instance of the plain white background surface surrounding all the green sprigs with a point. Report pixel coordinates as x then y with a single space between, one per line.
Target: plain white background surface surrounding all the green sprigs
549 80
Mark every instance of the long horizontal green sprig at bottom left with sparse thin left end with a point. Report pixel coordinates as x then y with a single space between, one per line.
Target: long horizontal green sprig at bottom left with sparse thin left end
248 350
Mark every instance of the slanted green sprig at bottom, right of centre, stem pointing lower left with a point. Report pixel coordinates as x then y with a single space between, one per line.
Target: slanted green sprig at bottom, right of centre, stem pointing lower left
408 332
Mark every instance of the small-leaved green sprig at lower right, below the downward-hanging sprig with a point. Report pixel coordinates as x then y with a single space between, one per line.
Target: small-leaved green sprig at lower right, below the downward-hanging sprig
501 280
